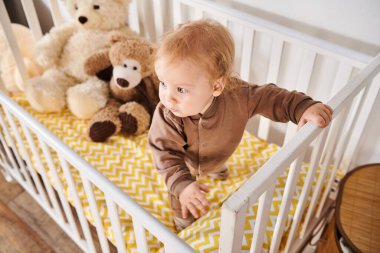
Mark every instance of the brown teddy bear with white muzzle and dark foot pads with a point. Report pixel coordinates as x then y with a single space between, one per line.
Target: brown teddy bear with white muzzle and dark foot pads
128 65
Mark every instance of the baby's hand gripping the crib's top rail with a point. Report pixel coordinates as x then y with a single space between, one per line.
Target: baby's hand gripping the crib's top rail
320 114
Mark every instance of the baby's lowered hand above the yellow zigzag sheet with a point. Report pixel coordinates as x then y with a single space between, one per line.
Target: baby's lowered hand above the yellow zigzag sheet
192 199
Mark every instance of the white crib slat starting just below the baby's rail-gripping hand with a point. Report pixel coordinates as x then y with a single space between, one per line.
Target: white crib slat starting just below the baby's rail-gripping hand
316 156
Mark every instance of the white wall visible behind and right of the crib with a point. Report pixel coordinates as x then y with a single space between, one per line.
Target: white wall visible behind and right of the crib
354 24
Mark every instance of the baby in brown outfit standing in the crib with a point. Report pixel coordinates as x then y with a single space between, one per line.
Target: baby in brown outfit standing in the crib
203 112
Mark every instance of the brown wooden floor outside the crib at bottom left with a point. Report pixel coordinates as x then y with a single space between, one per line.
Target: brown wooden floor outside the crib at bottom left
25 227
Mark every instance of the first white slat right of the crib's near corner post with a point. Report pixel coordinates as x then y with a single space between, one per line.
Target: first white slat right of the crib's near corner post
265 203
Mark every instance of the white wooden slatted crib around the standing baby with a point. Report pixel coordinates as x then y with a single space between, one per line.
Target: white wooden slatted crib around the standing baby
266 52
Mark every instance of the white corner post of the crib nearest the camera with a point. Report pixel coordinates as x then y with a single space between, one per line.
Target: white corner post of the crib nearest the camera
232 226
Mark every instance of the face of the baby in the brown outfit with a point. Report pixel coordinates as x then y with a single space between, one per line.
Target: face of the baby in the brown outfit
185 88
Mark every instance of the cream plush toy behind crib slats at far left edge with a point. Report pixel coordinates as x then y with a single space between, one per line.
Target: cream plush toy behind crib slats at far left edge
8 69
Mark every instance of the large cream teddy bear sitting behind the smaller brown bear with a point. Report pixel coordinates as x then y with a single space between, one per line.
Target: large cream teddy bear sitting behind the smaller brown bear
63 52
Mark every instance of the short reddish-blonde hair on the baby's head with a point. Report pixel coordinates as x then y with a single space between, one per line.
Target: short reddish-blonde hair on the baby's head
205 42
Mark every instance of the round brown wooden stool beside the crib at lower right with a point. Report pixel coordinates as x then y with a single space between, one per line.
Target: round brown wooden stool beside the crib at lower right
358 209
